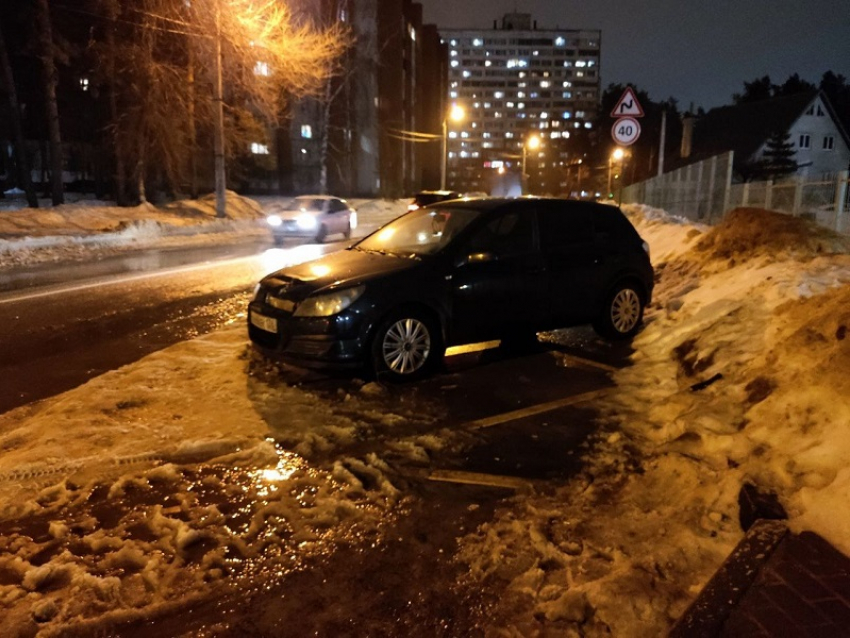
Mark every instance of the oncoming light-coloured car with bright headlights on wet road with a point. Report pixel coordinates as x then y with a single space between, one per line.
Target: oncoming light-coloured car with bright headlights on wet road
313 217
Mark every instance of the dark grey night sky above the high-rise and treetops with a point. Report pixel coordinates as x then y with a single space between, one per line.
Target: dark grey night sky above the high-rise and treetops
697 52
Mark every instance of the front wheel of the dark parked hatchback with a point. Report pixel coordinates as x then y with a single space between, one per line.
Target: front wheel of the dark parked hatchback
407 346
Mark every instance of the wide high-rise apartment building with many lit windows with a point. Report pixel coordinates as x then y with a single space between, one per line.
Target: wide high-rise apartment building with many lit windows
515 82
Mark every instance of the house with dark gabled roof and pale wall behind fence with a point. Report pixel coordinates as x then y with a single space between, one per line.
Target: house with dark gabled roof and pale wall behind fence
821 144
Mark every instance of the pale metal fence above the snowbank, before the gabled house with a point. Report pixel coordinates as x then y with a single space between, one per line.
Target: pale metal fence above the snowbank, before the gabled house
704 192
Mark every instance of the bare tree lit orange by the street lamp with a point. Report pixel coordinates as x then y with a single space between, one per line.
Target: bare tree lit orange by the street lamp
172 57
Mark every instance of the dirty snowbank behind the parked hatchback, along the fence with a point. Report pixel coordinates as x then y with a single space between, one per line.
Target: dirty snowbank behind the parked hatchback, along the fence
740 376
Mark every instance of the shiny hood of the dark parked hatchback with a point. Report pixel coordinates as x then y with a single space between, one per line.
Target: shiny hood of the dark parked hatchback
336 270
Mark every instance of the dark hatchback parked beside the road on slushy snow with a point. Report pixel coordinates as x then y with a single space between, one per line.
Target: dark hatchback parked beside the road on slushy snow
454 273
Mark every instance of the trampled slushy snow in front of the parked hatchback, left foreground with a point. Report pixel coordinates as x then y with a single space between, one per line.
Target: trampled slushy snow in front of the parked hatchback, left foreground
187 472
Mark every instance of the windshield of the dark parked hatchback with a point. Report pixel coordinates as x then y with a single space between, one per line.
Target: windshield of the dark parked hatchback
422 232
